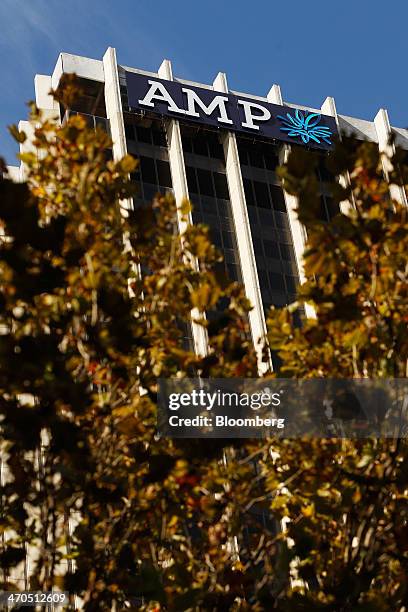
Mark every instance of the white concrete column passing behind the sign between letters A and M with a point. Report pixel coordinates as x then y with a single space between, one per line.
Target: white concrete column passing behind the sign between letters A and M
180 188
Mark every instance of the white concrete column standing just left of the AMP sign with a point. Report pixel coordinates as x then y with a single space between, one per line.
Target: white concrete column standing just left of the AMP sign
114 111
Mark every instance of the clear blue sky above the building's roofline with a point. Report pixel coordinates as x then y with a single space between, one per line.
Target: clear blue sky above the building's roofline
353 50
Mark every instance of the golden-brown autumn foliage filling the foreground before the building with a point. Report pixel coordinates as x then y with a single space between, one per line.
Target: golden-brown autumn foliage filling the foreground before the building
95 306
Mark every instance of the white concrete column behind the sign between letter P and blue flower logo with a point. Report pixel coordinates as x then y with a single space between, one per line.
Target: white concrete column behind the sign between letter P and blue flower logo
298 231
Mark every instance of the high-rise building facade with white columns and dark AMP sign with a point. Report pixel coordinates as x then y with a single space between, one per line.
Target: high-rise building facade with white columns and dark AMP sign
220 149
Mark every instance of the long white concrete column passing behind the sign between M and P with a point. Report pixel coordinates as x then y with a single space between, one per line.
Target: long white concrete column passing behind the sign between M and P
243 235
